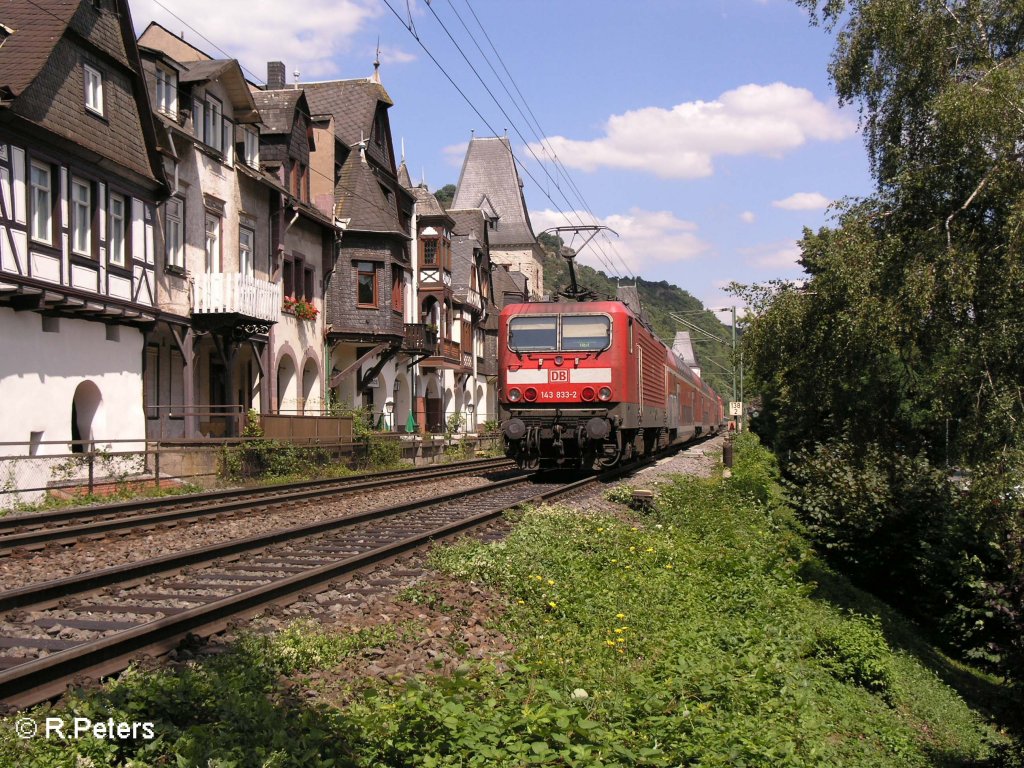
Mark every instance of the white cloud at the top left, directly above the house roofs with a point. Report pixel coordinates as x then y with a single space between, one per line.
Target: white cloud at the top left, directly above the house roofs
257 33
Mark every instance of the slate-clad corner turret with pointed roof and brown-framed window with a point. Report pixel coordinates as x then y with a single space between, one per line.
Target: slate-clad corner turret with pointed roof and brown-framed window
369 291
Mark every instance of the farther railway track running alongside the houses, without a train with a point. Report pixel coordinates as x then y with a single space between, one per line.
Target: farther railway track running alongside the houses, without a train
66 527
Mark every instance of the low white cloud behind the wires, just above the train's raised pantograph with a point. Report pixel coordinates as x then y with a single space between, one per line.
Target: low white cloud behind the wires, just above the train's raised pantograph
647 239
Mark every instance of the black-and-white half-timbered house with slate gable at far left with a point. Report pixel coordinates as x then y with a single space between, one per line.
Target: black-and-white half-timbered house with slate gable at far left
79 183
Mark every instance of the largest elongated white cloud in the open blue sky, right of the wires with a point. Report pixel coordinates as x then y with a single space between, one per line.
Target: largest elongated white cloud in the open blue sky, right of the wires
684 142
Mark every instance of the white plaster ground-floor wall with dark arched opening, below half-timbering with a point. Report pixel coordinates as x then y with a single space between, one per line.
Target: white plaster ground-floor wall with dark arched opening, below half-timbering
39 373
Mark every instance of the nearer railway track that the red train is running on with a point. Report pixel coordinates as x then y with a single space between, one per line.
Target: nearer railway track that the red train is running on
95 624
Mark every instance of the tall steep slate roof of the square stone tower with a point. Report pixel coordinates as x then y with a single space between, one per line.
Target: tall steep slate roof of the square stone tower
490 181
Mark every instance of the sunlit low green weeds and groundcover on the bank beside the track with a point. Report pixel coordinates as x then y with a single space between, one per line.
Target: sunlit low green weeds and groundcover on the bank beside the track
690 637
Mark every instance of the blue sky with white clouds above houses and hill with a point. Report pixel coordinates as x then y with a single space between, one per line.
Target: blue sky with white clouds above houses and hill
704 132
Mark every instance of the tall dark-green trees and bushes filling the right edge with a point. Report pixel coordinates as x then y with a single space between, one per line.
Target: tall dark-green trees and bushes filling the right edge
899 361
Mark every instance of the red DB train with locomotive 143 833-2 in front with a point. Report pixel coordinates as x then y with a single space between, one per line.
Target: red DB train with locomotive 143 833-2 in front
588 385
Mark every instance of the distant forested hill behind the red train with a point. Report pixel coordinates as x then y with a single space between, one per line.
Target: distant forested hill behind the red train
659 302
